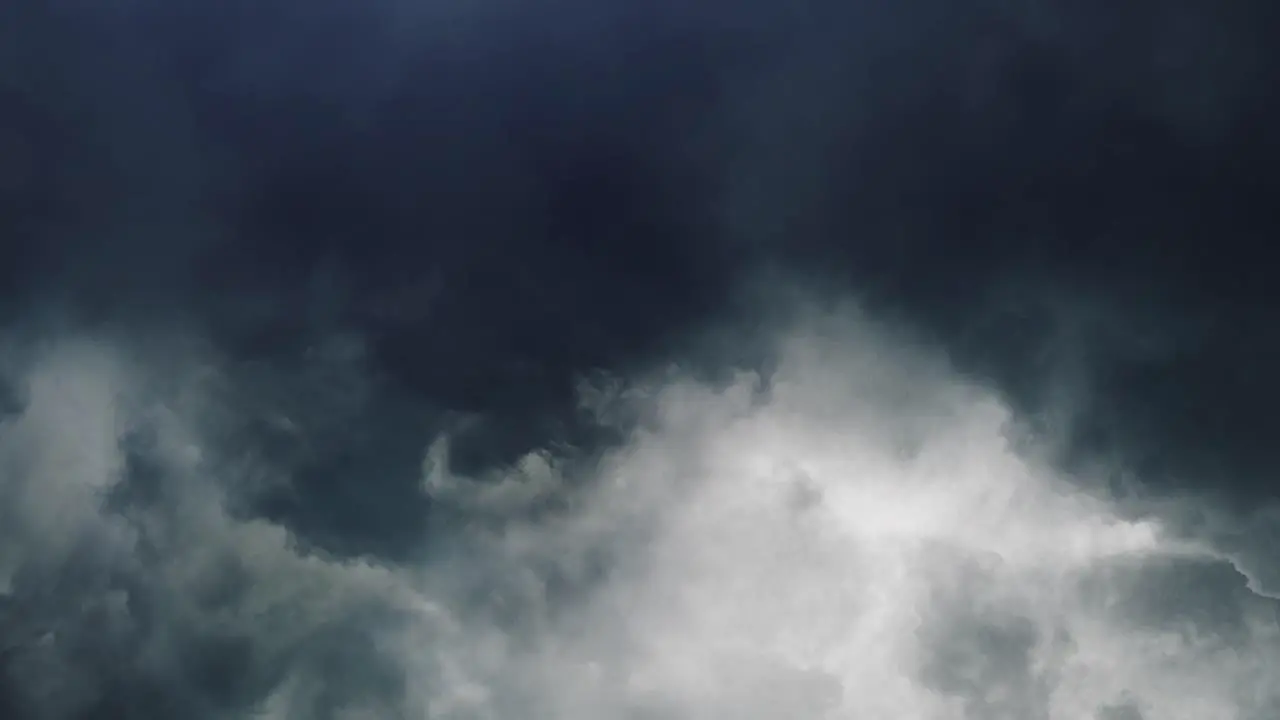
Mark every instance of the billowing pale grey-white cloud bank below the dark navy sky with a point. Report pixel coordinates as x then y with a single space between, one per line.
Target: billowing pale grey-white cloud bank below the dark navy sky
852 535
